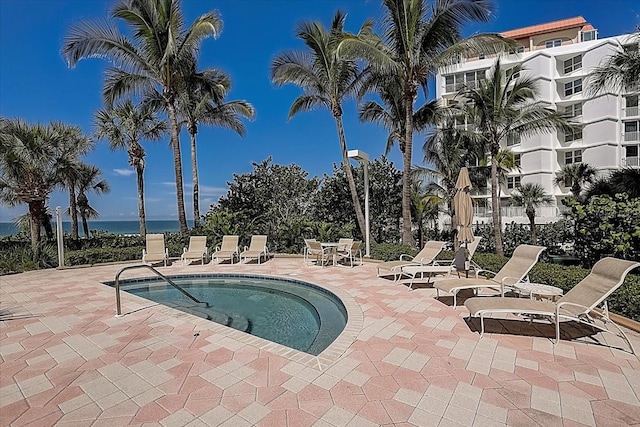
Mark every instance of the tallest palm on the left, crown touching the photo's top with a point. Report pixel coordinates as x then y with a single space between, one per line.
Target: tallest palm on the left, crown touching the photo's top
152 64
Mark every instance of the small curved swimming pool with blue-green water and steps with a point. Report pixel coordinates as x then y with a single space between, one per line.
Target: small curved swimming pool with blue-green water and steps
290 312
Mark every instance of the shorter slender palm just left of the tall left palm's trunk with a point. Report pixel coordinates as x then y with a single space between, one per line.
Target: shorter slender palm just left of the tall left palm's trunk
124 126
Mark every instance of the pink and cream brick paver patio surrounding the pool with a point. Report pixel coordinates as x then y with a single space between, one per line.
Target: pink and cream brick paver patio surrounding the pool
405 358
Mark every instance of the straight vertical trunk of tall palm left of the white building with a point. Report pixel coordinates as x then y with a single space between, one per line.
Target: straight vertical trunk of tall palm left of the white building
407 235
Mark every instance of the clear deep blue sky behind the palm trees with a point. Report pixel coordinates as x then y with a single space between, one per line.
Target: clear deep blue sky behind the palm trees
36 85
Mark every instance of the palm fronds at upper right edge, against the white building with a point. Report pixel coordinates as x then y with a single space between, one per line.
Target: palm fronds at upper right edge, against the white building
618 72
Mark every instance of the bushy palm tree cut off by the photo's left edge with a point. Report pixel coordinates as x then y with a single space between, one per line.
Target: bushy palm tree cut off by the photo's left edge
28 157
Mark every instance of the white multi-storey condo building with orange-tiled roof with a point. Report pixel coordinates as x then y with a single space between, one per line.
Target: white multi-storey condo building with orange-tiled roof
559 56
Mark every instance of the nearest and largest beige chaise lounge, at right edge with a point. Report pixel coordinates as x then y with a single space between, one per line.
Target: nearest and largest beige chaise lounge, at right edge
579 304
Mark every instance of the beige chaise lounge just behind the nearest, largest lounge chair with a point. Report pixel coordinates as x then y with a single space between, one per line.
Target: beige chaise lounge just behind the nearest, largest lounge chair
515 270
